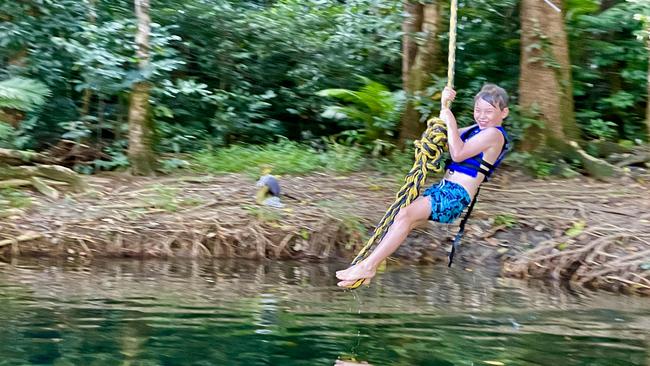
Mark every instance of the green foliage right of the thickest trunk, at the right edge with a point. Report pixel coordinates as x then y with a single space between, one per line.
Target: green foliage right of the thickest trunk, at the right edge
610 70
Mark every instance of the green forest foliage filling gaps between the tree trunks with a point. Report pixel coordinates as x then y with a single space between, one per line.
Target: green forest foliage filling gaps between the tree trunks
233 72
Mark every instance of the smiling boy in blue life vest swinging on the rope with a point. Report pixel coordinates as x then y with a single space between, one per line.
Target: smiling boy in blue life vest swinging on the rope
475 151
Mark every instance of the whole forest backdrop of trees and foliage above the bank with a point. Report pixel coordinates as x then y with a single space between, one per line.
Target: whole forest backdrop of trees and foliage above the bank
216 83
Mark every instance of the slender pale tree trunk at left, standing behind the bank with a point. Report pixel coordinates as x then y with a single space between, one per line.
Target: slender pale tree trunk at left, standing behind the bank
141 154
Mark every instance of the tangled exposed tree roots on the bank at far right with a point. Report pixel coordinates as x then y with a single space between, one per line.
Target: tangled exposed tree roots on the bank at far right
599 246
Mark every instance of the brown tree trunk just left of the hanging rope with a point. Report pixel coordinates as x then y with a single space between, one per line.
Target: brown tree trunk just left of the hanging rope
418 61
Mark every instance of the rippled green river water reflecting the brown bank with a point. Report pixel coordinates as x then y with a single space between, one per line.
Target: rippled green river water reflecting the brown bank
245 313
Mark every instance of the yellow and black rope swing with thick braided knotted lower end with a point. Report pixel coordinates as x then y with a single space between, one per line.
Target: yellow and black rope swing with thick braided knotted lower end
428 157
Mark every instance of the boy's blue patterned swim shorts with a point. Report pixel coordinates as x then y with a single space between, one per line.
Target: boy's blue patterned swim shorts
448 200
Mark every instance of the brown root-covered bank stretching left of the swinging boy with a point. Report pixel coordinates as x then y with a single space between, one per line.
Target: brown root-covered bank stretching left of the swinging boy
180 219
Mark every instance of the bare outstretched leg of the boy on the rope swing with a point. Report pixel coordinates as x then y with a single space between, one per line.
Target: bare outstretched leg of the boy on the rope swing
406 220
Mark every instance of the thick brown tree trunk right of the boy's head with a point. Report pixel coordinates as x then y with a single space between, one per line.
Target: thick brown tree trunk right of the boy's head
545 82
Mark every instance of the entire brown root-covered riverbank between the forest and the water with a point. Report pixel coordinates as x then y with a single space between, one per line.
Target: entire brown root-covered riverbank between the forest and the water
593 233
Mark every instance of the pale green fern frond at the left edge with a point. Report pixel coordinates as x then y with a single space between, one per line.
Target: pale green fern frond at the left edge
22 94
